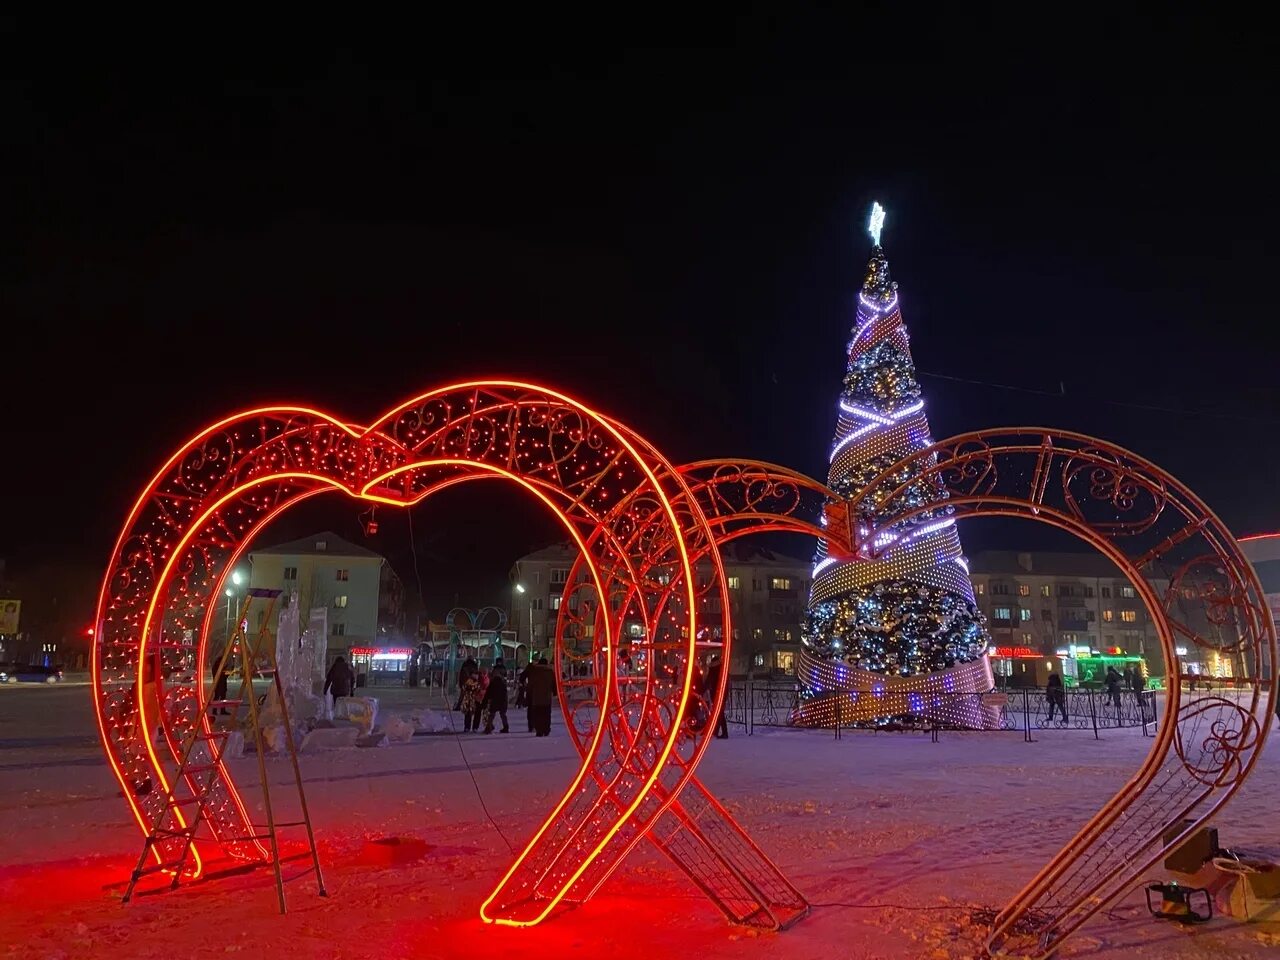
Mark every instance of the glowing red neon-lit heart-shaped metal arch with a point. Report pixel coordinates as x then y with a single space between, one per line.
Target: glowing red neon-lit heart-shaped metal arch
200 511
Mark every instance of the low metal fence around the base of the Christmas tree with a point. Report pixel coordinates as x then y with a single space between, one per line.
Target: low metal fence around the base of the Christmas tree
753 705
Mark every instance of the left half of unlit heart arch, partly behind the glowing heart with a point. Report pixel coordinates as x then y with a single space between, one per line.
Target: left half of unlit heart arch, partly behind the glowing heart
738 499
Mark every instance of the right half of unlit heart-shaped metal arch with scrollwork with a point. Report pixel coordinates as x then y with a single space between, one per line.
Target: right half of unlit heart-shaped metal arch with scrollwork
1136 515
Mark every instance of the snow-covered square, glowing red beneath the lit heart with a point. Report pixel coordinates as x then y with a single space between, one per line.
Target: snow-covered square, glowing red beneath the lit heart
897 840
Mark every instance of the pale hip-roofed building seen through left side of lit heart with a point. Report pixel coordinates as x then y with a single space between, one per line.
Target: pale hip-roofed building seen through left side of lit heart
360 592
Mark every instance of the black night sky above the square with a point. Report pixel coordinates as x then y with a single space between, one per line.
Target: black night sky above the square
665 217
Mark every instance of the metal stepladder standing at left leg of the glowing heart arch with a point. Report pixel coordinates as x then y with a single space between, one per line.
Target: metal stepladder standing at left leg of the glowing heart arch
202 772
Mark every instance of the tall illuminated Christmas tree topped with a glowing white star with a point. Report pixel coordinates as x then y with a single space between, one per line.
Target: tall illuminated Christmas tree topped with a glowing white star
898 636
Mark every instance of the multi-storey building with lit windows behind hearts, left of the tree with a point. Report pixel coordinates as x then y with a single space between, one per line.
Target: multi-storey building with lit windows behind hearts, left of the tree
767 601
